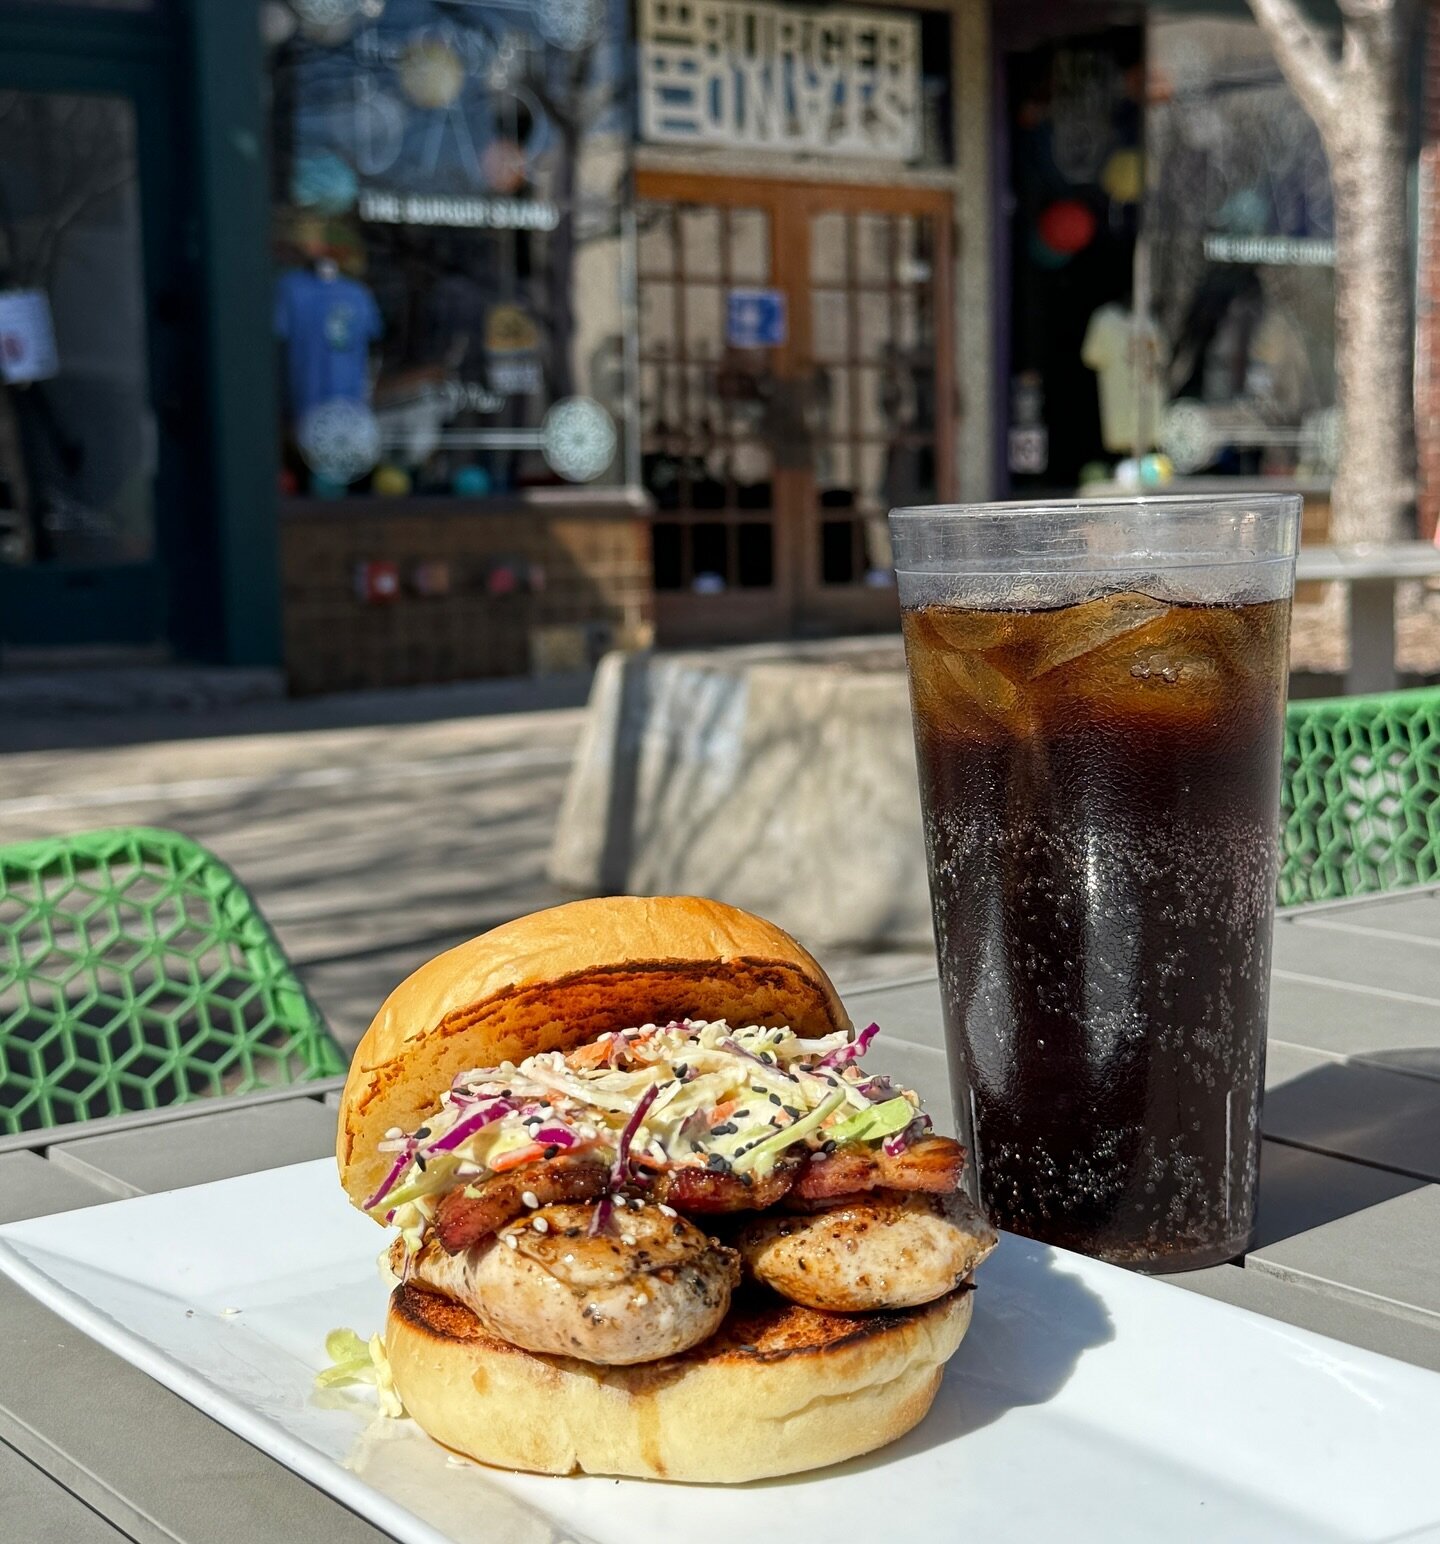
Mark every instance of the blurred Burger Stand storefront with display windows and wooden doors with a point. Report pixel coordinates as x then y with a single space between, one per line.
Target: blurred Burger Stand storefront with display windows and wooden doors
580 323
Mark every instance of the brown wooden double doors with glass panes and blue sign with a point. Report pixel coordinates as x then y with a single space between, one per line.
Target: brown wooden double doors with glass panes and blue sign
772 466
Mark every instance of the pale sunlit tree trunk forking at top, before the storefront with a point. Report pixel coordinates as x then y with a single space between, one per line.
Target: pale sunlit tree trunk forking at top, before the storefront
1359 106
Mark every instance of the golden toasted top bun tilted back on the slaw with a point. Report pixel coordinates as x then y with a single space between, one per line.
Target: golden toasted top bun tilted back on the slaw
556 980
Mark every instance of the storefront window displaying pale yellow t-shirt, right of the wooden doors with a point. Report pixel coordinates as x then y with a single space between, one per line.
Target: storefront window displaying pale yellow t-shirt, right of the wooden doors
1172 259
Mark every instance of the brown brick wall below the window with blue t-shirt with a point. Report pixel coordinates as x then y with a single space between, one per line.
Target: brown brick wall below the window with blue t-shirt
576 580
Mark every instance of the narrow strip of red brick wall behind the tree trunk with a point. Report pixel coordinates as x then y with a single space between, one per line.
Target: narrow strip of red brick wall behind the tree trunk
1428 285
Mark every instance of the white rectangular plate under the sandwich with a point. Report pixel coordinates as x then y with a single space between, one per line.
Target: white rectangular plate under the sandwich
1086 1403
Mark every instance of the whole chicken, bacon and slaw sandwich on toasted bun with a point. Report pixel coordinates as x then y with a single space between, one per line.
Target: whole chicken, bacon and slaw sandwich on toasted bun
652 1216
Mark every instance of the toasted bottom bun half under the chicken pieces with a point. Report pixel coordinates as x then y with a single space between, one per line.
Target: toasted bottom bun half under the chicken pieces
777 1390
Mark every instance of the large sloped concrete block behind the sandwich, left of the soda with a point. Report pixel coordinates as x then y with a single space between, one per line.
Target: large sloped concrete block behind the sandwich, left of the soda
777 777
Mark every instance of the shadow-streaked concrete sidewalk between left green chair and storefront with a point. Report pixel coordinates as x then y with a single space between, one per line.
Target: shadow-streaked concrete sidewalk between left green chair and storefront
374 830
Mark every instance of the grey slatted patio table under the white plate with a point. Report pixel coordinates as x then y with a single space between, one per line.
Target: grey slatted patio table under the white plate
93 1451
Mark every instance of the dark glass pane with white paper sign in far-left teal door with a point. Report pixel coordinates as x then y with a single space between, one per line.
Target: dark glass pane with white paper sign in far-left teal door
76 433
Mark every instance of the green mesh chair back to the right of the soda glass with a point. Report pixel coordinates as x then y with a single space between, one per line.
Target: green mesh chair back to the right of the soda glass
1362 796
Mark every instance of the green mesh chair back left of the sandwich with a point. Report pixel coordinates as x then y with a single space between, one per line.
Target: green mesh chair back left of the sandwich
137 972
